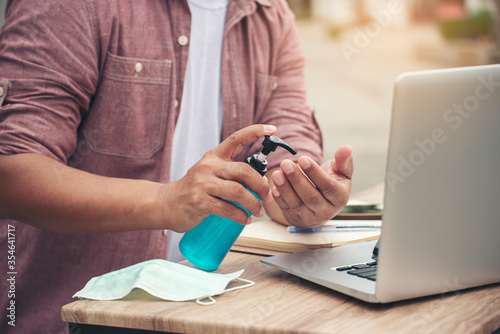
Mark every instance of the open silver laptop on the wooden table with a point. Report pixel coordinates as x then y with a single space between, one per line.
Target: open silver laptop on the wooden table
441 221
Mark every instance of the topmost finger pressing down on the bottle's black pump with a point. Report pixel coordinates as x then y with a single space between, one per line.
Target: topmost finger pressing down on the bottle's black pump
235 143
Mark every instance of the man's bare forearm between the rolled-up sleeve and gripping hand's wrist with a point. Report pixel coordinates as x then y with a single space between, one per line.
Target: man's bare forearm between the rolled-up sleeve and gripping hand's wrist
46 194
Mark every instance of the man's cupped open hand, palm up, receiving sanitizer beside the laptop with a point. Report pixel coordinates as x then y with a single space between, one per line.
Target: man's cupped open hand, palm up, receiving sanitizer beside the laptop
310 195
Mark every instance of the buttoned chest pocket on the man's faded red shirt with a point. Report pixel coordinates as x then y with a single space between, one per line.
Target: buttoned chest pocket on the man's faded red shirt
128 116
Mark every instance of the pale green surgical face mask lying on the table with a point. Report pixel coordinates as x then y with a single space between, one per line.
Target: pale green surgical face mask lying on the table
163 279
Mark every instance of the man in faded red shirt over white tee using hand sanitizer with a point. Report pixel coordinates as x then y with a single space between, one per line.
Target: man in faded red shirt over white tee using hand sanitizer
109 123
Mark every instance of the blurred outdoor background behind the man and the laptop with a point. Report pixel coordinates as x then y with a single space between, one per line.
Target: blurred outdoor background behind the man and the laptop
355 50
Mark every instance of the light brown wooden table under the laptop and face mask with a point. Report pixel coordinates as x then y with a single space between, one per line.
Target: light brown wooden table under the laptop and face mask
282 303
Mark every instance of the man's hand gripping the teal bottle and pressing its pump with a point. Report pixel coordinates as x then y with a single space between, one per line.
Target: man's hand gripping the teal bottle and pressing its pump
213 181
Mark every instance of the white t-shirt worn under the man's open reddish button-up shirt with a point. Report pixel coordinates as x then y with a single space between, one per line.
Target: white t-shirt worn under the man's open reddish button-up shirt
199 125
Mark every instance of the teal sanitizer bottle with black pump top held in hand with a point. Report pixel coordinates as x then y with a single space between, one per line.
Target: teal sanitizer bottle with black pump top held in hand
207 244
